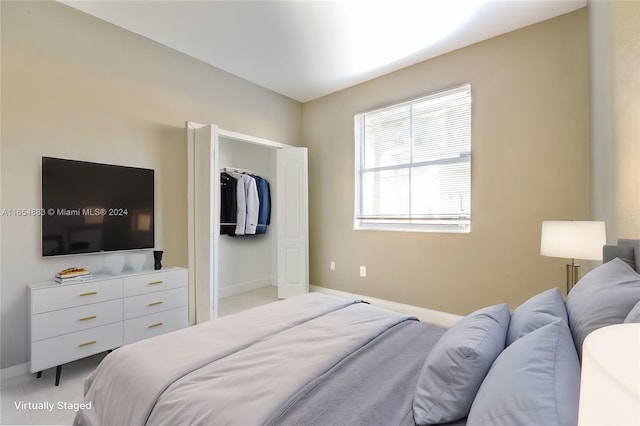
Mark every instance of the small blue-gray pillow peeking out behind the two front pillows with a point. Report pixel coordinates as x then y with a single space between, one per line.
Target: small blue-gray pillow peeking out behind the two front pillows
538 311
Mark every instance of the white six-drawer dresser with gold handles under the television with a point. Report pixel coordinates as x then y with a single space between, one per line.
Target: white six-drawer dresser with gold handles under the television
73 321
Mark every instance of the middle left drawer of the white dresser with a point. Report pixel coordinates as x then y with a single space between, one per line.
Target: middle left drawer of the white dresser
64 321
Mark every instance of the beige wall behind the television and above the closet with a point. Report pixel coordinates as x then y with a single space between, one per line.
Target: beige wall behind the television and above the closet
76 87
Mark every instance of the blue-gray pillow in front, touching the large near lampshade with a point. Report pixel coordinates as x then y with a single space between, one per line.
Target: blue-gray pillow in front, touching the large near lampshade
534 381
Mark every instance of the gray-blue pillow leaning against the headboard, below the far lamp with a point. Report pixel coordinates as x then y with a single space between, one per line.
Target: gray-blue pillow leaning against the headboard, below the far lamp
604 296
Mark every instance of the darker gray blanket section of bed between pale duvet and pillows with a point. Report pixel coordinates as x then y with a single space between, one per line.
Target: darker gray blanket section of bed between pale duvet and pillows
373 386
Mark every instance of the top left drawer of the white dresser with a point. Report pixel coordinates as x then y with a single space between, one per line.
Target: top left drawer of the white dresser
69 295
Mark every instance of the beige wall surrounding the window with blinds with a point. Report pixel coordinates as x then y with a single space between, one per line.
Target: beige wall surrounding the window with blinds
531 162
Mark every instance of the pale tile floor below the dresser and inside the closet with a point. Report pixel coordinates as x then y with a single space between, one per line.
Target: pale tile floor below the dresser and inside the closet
26 388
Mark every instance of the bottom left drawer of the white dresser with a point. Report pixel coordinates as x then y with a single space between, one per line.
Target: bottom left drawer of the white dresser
59 350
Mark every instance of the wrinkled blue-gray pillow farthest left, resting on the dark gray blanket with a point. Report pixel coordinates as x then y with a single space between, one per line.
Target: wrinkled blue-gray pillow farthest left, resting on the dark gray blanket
454 369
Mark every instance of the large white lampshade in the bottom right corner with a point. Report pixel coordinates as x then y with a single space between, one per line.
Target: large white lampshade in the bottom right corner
610 380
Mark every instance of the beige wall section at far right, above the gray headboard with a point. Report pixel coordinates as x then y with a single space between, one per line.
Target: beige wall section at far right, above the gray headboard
615 64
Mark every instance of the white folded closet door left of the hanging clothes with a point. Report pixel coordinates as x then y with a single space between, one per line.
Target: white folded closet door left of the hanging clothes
204 219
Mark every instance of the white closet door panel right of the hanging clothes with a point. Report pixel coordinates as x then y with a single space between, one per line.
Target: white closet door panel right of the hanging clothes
293 222
